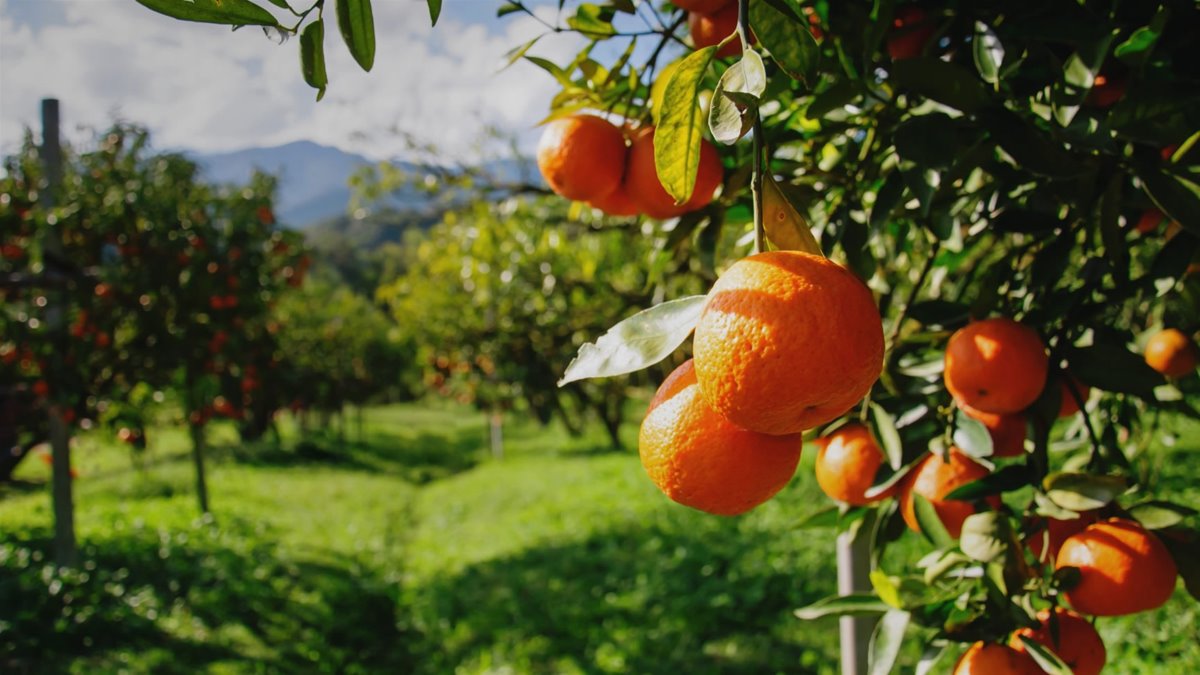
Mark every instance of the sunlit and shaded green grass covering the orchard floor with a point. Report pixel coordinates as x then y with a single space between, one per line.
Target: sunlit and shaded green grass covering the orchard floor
411 551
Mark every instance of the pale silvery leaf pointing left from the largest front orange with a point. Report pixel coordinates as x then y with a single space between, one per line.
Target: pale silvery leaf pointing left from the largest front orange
640 342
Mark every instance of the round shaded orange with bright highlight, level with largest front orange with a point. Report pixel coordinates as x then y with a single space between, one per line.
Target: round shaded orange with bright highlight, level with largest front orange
997 366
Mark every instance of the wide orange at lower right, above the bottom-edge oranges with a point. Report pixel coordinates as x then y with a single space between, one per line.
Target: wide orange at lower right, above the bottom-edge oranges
1124 569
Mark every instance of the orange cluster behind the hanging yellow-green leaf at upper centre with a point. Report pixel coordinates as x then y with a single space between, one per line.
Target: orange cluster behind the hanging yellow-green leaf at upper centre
589 159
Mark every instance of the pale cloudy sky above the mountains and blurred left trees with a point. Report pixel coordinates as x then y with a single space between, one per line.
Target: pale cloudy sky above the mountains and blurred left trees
207 88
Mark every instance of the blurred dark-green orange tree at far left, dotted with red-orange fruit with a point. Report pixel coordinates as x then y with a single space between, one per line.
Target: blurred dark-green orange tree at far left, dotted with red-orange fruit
164 282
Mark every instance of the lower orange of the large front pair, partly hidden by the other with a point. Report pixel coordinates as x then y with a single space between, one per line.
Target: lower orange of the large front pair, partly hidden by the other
699 459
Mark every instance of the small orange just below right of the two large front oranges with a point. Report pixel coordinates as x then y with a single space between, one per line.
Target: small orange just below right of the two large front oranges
847 464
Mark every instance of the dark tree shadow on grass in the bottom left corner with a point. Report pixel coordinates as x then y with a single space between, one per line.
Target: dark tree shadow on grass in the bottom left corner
230 598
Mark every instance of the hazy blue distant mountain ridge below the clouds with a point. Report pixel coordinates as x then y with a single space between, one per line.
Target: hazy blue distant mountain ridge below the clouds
314 180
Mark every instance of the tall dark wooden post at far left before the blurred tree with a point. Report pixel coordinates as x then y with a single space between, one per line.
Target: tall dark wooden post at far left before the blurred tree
62 488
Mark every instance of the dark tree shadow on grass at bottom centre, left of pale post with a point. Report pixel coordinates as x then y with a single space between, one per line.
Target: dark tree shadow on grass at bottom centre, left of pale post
638 600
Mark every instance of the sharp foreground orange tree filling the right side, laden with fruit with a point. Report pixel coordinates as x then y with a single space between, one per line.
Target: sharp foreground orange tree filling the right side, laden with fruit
1017 186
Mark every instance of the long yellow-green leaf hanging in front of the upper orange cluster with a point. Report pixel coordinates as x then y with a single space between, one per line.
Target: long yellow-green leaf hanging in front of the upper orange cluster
679 136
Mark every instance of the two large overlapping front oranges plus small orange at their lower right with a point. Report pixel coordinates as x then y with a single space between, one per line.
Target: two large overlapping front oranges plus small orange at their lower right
787 342
